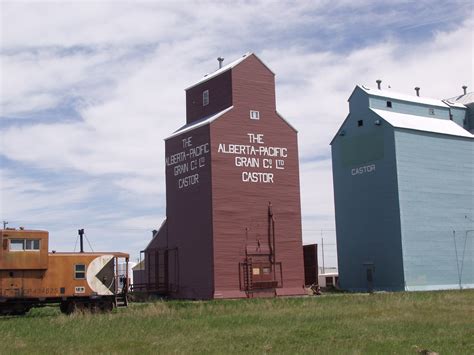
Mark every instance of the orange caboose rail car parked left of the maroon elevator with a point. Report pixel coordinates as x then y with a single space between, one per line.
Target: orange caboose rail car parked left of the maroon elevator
32 277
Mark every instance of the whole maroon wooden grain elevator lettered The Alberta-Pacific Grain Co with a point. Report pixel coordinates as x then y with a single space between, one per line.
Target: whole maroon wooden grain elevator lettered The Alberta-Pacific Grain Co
233 226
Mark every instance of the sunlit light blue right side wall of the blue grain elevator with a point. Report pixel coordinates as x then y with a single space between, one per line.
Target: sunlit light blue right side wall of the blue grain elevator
436 189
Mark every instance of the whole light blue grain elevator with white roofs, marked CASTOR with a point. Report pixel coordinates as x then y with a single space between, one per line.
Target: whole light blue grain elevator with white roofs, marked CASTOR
403 171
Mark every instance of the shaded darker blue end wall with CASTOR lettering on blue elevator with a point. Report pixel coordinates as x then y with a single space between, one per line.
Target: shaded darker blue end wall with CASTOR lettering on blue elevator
367 215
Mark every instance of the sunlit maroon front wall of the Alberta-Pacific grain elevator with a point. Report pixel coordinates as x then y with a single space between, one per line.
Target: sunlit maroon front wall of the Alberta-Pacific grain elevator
238 205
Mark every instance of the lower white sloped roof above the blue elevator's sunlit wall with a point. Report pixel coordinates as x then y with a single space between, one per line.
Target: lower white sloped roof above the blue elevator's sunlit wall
420 123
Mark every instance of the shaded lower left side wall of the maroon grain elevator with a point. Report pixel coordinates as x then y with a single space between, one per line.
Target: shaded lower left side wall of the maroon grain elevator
189 216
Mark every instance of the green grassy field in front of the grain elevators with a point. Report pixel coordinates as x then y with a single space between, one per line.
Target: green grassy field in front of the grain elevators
385 323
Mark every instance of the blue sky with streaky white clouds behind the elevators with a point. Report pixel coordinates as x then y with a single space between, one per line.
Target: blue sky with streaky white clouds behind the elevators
90 89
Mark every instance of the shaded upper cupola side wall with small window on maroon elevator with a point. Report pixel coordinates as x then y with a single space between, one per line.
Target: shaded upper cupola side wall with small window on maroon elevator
220 97
